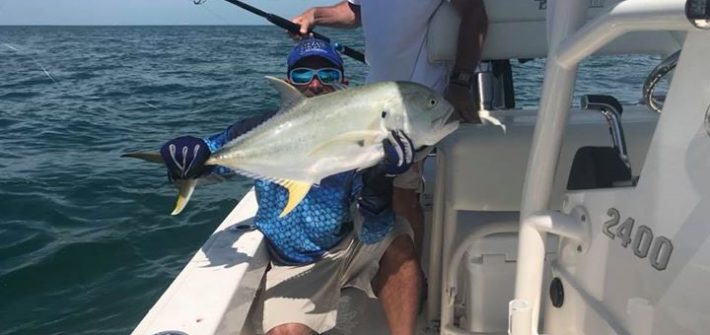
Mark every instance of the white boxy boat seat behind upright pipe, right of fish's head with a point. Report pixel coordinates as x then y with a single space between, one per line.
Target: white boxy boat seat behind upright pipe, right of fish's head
483 168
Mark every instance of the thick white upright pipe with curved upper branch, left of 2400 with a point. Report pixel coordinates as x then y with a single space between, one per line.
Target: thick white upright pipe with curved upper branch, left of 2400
570 41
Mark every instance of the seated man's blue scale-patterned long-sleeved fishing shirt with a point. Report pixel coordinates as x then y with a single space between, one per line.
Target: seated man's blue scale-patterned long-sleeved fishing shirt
319 222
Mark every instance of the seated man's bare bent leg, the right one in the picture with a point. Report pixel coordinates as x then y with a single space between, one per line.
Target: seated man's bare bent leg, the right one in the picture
397 284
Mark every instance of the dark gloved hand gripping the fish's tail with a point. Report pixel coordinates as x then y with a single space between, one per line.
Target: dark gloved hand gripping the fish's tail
185 157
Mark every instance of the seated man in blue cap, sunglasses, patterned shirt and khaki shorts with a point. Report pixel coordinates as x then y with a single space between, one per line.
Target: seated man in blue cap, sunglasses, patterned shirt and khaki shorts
342 234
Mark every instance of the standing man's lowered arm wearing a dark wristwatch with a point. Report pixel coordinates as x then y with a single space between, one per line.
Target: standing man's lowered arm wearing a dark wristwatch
472 34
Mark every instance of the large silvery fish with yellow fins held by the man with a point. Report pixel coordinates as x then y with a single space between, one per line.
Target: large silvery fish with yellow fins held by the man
312 138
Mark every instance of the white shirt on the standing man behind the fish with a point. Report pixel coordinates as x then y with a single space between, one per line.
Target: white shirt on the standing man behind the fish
395 41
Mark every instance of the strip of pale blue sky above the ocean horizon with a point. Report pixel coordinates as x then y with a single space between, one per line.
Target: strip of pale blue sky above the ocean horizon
143 12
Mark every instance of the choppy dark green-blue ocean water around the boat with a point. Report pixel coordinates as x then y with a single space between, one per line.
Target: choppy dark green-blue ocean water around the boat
87 244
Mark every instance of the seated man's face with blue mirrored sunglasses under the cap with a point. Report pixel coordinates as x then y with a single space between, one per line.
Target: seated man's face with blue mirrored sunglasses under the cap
316 85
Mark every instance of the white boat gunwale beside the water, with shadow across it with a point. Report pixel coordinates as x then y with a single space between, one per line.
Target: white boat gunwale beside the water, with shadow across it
214 292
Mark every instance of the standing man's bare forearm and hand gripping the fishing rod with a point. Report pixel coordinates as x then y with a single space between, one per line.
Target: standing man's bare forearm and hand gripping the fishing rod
344 14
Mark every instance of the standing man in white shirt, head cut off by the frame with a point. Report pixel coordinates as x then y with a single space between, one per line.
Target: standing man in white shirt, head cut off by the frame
396 49
